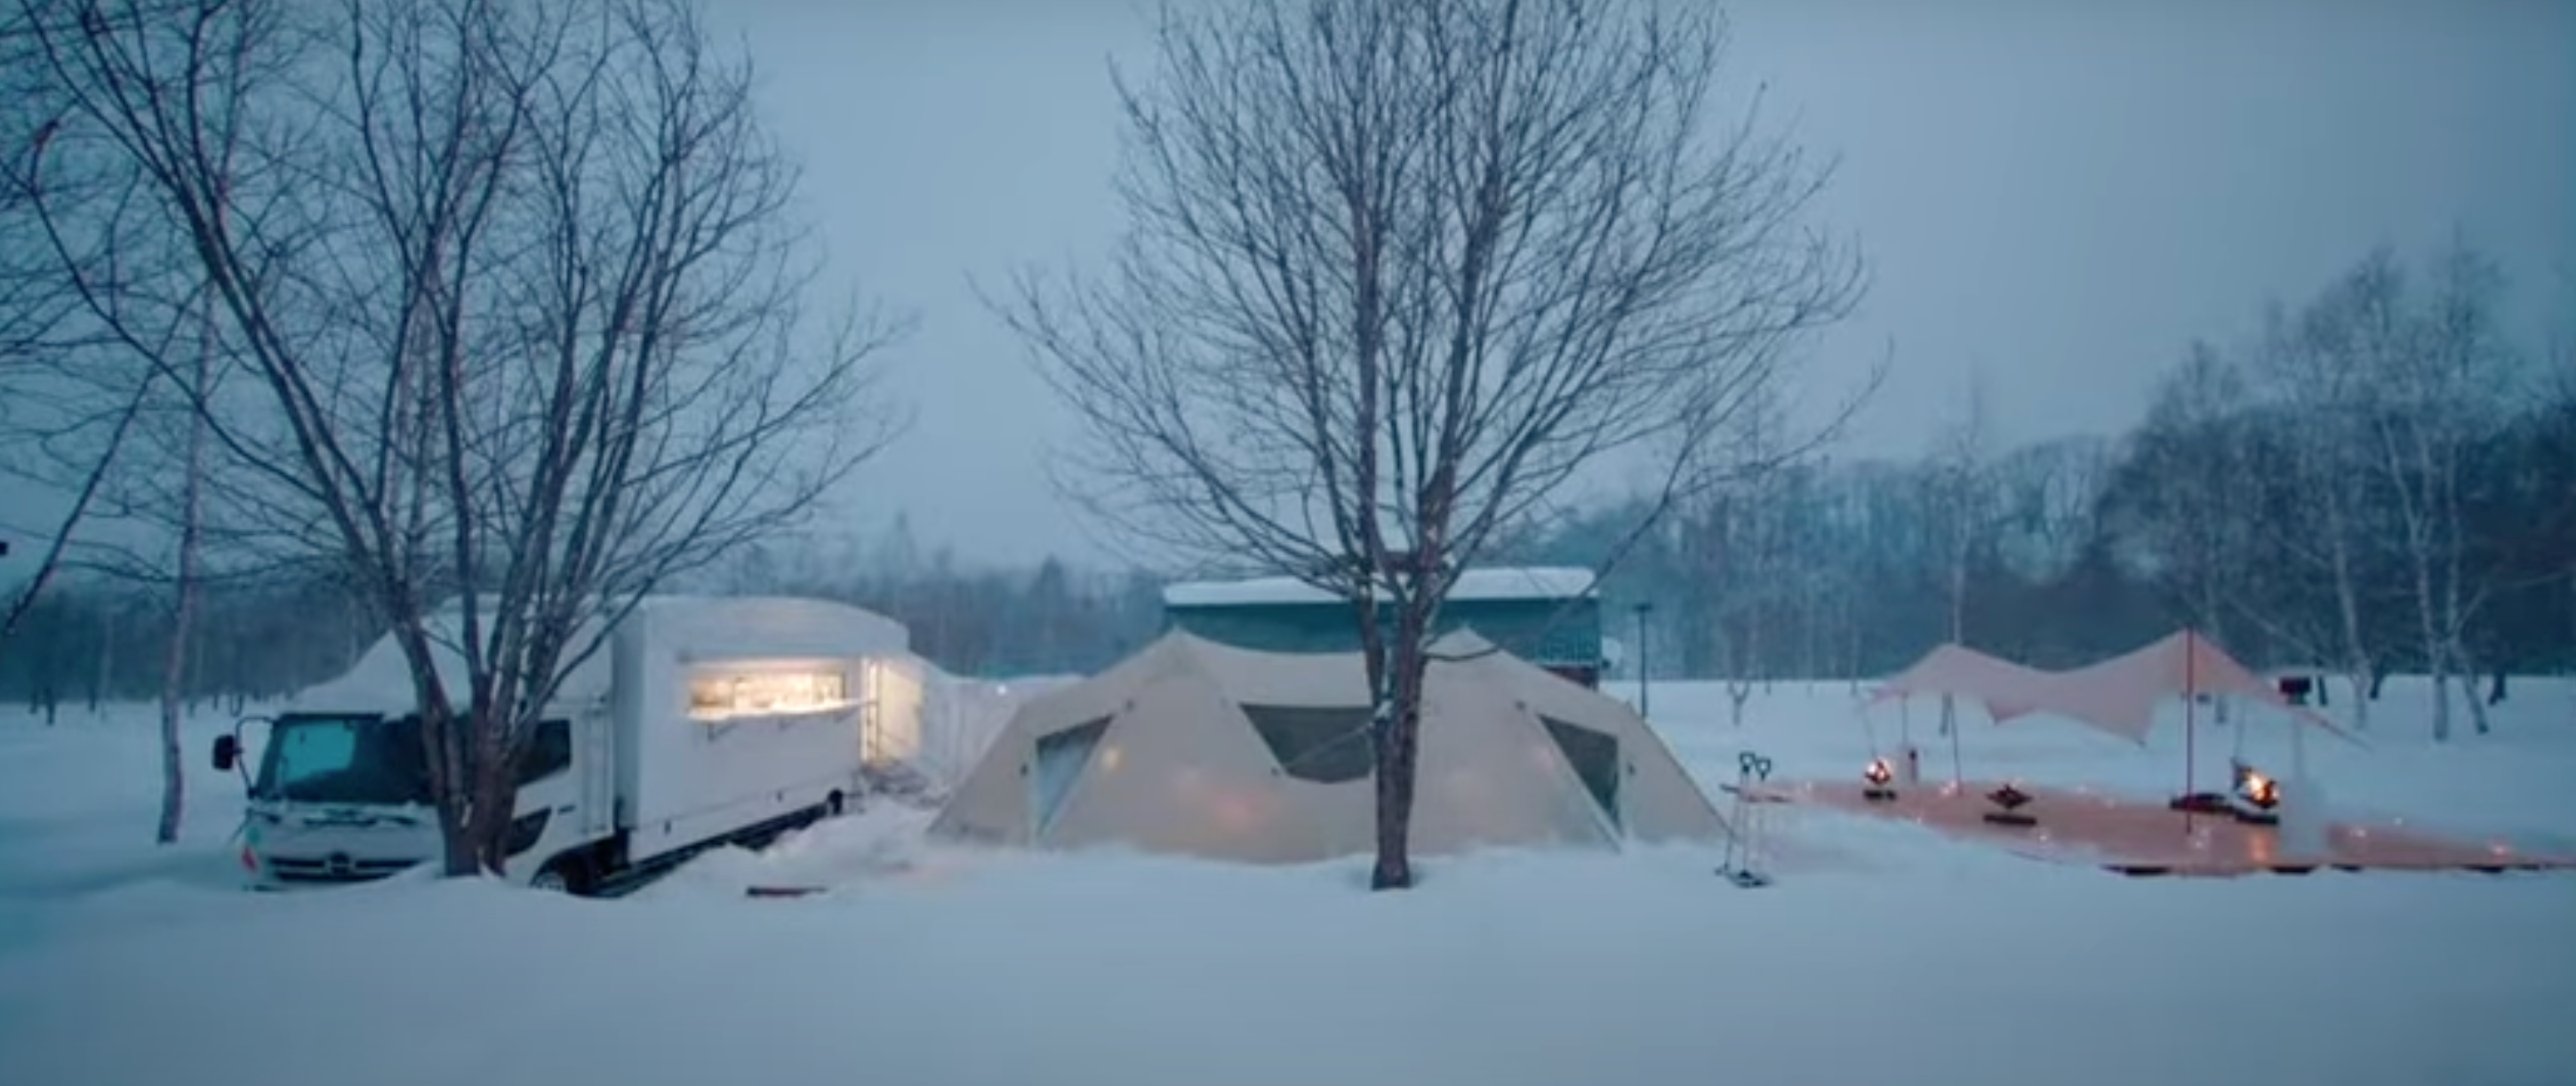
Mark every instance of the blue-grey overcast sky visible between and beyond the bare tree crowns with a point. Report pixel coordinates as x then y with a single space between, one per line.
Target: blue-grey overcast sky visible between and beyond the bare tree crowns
2052 194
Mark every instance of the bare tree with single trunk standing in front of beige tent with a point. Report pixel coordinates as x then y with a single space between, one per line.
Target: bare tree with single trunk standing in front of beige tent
1397 271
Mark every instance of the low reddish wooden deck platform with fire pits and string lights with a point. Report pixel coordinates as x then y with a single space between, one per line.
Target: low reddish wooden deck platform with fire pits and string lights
2145 838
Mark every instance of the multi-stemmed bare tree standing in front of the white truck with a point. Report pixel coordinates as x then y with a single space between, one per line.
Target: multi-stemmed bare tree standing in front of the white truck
514 302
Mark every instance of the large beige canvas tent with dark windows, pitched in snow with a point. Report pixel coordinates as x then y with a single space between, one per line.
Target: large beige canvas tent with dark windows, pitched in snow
1220 753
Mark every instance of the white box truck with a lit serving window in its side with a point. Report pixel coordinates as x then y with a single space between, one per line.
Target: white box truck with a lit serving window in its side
702 722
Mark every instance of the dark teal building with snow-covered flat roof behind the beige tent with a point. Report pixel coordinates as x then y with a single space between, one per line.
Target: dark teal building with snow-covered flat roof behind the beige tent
1547 616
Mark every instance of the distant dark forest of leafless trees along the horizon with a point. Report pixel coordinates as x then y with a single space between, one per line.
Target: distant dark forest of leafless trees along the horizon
2374 483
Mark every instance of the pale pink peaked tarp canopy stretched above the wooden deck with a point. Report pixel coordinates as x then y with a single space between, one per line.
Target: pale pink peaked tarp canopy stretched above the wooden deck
2119 696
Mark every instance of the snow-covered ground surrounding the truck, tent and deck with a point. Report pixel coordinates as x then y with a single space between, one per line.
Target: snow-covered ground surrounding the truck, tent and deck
1882 953
